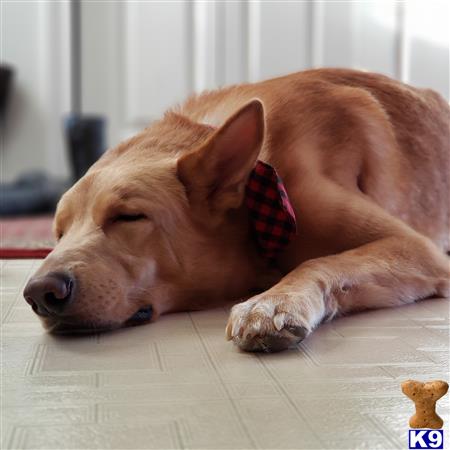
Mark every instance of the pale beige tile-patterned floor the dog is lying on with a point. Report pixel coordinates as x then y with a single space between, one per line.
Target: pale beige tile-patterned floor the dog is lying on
178 384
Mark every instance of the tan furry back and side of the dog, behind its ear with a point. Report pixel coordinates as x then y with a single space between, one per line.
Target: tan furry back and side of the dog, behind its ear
398 154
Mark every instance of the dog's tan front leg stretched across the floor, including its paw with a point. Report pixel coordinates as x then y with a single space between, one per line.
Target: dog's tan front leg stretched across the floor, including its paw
391 265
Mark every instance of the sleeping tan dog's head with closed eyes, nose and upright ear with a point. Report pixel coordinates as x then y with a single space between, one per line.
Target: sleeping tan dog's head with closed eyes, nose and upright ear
158 223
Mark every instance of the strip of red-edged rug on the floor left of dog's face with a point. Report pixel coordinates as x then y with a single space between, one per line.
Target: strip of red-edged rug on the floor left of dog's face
29 237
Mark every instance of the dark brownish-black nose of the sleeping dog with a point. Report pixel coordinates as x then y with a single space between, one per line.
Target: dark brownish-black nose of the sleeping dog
49 294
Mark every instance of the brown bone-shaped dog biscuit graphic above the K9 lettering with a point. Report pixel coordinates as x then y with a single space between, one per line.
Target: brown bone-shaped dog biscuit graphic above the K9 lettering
425 396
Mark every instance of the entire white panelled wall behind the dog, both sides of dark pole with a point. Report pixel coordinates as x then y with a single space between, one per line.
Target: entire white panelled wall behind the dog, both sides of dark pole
139 57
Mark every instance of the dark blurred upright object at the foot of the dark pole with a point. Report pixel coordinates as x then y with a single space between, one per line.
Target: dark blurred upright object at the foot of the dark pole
85 140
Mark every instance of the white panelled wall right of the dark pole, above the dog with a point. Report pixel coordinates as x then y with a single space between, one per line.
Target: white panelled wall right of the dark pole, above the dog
156 53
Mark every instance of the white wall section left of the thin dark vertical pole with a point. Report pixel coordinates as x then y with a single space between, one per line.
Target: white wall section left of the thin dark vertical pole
35 41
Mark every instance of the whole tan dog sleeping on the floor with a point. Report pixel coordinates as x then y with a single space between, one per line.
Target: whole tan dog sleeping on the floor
162 223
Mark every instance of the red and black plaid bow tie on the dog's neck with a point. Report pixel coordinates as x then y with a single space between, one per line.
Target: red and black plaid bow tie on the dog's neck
271 213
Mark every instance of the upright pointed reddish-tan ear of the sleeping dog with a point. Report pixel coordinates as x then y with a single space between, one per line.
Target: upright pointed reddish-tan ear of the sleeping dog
215 175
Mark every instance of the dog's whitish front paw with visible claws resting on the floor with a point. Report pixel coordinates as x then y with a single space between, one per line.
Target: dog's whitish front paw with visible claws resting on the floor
268 323
